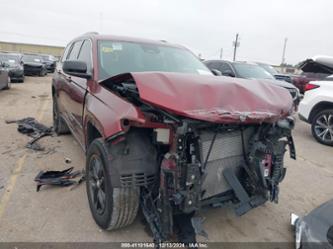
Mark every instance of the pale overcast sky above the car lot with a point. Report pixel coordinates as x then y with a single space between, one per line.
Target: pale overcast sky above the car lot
204 26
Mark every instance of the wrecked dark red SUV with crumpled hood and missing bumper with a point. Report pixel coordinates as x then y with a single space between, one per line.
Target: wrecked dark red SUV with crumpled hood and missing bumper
162 133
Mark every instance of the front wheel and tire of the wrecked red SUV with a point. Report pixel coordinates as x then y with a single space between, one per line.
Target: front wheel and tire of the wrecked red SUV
111 207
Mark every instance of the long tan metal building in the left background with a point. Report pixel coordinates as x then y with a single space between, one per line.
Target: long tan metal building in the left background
31 48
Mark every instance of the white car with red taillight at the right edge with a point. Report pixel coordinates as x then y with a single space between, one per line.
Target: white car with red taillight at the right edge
316 108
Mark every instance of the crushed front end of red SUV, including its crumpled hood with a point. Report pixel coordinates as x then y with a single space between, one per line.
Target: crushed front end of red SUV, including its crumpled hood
222 153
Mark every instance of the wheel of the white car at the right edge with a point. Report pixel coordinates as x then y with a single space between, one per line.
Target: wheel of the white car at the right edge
322 127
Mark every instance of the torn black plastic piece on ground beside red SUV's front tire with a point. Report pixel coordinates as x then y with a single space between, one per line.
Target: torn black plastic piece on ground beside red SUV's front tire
58 178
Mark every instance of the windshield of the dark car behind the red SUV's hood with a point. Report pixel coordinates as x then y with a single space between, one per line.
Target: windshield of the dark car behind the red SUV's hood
250 71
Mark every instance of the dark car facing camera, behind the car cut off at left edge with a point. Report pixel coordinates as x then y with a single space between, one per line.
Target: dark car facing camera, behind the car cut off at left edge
13 62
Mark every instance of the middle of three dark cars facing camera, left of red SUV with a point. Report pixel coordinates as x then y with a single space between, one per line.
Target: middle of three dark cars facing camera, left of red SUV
33 65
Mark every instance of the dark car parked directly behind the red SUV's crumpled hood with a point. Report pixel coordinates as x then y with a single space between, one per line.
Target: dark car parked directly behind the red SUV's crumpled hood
251 71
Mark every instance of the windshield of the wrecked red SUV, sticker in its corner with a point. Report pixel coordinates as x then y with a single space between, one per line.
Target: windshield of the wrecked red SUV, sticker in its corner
117 57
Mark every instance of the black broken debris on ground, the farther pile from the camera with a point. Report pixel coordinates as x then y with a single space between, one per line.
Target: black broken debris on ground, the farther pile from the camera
31 127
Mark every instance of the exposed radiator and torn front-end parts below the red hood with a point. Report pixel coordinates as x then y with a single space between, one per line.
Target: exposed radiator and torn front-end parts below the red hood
211 165
